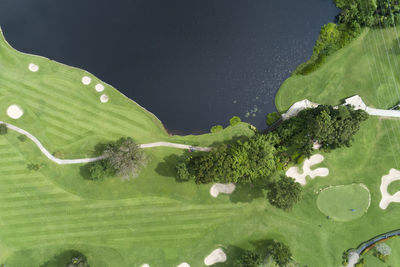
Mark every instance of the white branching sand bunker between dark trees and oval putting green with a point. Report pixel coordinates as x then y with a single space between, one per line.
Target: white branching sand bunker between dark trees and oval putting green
313 160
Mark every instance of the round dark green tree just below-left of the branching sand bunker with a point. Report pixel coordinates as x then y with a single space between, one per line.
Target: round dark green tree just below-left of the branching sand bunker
285 193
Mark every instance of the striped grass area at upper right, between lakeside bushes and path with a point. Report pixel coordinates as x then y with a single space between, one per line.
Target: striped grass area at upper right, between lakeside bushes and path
369 66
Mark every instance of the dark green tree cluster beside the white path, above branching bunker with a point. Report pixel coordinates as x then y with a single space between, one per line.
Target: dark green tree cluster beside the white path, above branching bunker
330 127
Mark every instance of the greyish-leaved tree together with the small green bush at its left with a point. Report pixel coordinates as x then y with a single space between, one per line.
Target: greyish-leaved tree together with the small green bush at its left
123 158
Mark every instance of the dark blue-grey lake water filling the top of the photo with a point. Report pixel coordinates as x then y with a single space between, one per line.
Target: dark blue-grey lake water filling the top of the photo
193 63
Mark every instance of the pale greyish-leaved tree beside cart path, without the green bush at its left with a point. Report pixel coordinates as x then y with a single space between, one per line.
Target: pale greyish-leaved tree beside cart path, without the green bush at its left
125 157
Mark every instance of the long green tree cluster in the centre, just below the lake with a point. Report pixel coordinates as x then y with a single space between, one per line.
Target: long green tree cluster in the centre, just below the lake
242 162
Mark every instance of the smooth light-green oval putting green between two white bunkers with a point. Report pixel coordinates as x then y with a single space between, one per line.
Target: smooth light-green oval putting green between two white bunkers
344 202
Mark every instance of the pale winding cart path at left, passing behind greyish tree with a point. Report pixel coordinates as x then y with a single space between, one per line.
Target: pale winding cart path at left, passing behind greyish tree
86 160
